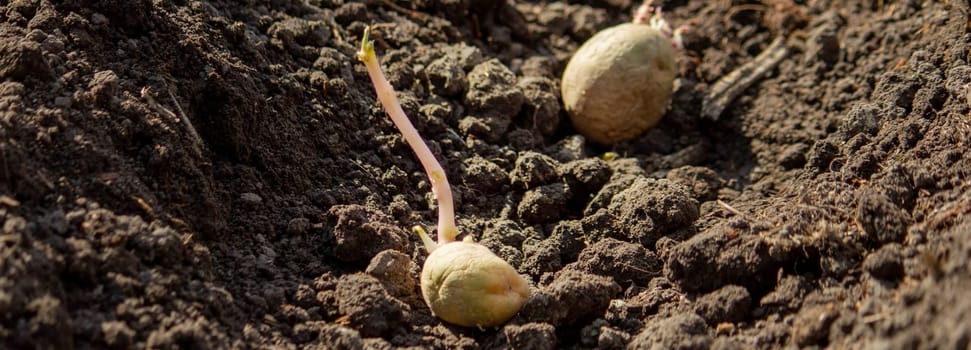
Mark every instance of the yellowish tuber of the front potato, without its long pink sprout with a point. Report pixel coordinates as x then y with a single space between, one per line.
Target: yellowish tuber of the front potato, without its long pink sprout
466 284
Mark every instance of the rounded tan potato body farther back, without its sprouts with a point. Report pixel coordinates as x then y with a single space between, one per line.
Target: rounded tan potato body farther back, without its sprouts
618 83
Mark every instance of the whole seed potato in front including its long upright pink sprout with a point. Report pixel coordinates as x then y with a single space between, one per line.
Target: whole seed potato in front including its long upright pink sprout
462 282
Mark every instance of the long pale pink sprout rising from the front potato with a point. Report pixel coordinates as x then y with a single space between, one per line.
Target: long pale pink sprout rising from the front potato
447 231
